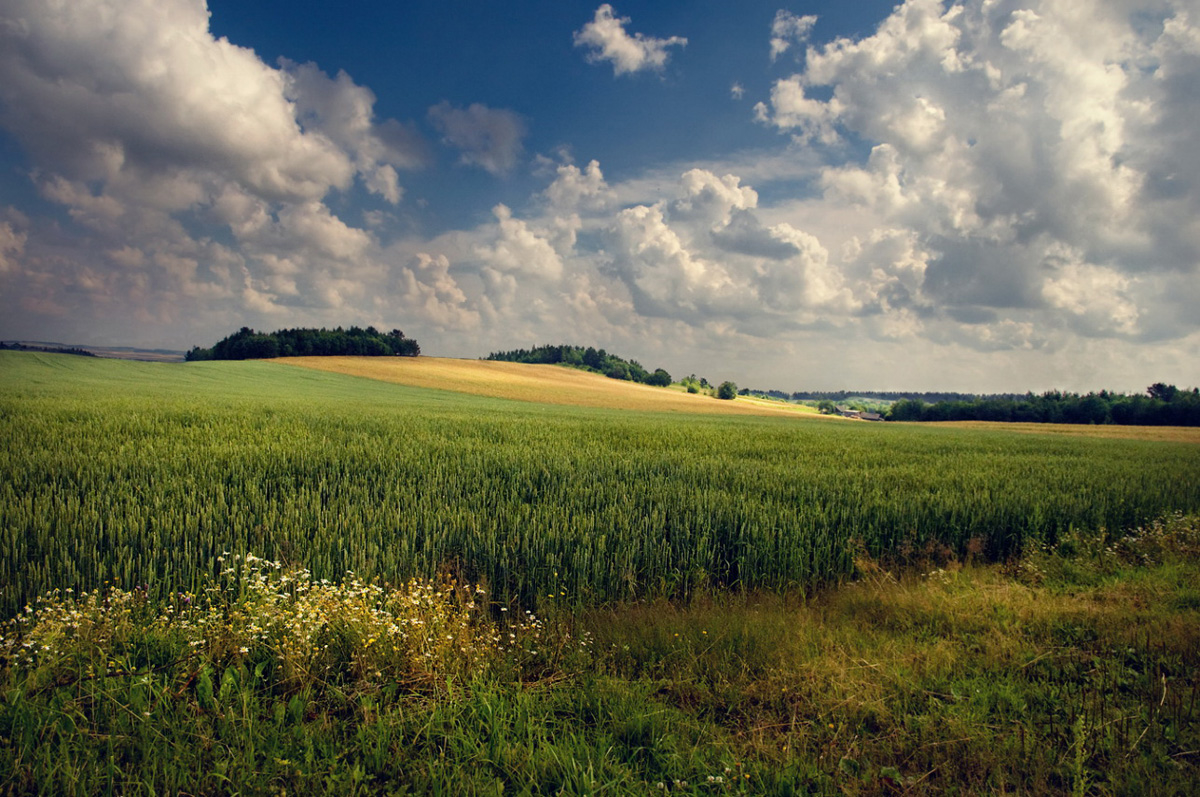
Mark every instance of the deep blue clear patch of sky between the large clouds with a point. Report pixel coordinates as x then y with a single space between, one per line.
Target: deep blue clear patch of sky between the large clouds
523 58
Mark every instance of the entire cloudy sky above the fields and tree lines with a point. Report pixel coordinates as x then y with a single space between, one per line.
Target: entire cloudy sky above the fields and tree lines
988 196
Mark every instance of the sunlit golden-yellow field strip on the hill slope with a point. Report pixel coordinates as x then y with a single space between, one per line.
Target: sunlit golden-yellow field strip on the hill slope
550 385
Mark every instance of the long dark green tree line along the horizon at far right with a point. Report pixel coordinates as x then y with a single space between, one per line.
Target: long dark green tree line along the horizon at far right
1162 405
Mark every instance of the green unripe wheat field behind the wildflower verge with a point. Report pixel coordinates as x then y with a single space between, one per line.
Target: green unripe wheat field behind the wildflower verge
146 475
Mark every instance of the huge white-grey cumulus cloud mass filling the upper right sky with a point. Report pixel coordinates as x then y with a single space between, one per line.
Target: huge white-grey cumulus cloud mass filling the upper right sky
1004 135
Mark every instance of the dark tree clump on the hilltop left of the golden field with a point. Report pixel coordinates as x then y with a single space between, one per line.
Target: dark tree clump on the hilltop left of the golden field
249 345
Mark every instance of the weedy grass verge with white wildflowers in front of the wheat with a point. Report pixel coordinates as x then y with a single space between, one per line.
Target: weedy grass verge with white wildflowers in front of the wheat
1075 670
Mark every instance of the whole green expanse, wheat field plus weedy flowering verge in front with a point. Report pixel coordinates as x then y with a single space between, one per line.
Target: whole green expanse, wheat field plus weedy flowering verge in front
626 602
